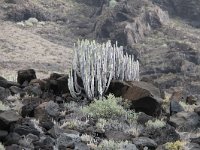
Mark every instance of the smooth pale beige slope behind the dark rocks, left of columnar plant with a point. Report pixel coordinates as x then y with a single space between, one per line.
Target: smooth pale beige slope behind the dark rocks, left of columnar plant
21 49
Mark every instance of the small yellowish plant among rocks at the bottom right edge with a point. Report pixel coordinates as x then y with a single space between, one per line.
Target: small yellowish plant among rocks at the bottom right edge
178 145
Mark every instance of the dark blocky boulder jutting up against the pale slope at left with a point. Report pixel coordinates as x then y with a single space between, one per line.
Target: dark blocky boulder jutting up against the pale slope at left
25 75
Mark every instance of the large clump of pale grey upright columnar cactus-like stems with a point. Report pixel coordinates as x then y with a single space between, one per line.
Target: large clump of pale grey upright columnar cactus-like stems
96 65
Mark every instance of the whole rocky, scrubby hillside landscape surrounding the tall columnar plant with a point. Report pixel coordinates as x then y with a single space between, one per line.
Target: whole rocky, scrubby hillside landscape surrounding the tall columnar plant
36 108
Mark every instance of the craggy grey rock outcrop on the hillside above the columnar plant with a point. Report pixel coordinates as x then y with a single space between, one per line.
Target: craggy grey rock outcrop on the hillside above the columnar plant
129 21
